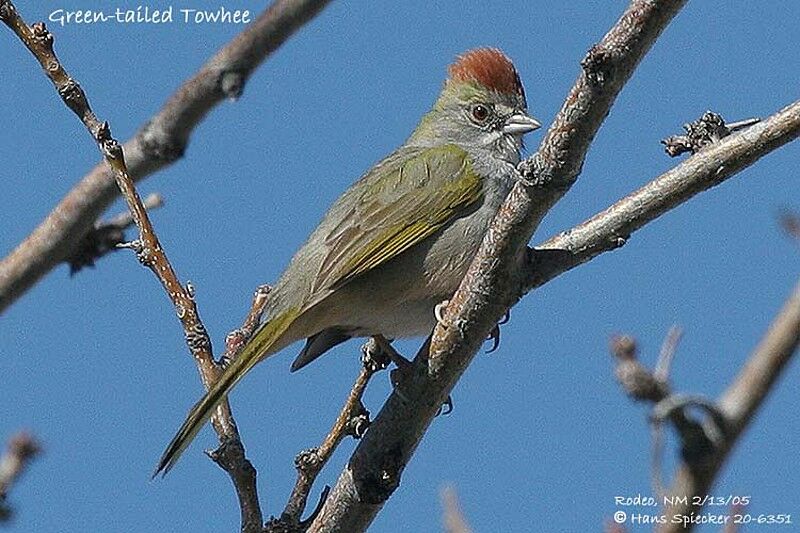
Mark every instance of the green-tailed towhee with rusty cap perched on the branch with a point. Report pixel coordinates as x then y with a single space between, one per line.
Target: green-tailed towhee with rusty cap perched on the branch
399 241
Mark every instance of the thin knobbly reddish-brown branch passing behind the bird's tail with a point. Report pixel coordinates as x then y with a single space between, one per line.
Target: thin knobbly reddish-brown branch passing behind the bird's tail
148 249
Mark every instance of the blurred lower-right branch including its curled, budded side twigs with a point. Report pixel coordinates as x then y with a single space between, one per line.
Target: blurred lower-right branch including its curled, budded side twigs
705 446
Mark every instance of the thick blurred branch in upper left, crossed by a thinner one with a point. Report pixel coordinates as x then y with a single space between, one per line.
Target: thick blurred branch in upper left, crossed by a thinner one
158 143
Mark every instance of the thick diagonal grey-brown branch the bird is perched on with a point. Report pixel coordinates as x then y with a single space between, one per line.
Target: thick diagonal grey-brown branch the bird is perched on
491 285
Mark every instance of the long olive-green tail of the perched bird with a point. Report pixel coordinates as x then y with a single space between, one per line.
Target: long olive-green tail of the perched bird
251 354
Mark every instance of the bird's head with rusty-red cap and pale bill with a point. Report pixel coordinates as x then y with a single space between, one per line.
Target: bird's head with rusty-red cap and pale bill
481 107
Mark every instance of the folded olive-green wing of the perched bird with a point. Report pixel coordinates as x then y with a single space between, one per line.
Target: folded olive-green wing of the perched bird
408 200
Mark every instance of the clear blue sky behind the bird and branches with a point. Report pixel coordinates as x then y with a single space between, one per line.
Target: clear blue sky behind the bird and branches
541 437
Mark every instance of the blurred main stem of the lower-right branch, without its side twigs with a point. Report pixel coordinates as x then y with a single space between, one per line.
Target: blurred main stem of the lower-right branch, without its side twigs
738 404
